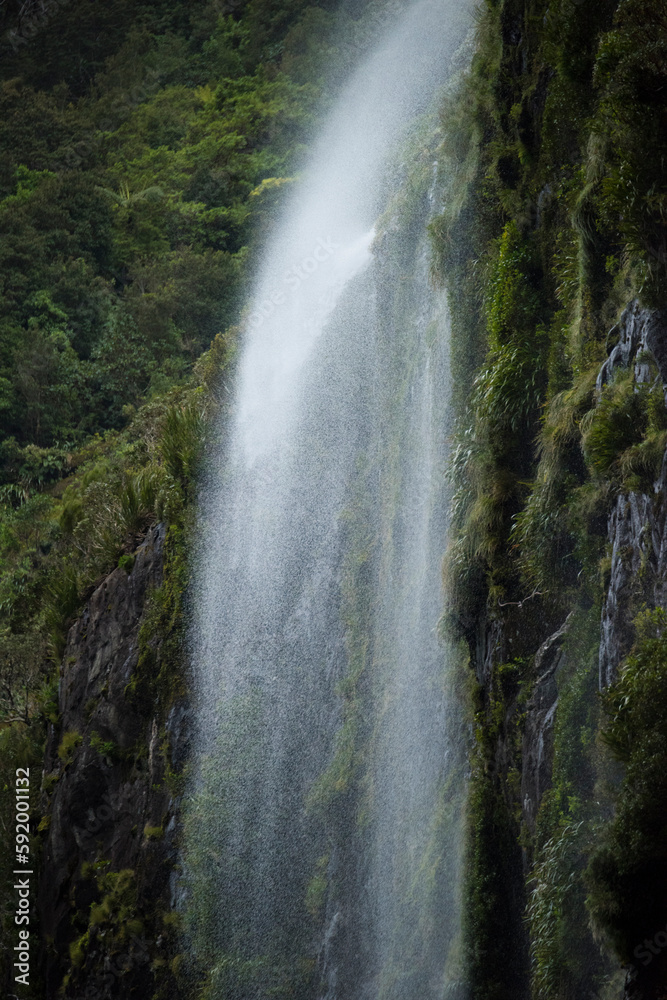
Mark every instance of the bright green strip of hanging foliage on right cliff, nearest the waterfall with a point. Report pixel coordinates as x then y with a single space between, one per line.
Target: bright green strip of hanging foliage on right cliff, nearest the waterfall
495 454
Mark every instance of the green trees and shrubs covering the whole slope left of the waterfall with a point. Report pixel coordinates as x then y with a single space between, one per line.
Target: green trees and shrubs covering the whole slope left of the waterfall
144 149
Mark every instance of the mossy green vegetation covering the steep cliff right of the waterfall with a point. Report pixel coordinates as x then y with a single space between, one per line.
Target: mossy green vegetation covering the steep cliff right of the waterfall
553 224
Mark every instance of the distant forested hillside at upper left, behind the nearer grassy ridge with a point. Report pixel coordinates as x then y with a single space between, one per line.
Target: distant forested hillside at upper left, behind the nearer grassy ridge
128 196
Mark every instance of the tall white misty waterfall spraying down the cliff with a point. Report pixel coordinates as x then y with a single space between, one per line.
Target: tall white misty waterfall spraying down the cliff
322 844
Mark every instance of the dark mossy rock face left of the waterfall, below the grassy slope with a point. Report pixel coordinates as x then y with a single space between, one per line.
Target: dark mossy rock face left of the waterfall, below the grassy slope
111 810
